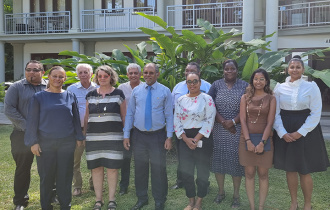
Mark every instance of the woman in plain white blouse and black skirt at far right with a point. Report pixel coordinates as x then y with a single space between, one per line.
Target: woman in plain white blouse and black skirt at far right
299 147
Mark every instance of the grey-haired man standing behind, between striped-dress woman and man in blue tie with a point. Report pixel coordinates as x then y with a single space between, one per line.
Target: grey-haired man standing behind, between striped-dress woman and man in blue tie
134 75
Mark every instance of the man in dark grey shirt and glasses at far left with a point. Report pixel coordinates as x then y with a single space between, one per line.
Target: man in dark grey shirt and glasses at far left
16 109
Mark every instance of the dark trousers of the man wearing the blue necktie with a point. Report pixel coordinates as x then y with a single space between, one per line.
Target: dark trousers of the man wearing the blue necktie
149 148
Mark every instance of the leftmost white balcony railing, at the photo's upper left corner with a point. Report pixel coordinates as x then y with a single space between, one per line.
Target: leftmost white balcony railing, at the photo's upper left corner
40 22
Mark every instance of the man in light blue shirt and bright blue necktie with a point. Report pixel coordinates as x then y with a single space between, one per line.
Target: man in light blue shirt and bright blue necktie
150 115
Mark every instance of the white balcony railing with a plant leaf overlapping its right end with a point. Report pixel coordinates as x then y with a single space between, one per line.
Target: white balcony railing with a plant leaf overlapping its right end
123 19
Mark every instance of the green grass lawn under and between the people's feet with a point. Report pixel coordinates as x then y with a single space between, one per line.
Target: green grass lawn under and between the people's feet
278 196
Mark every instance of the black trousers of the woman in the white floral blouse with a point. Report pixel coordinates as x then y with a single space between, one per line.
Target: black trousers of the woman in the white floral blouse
199 159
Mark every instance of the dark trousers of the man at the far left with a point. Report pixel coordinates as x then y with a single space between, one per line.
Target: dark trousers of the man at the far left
23 158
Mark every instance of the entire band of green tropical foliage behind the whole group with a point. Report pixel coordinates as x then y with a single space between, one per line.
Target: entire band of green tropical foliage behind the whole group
210 49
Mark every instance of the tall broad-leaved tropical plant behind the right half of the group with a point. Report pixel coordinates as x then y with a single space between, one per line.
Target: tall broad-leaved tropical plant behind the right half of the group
214 46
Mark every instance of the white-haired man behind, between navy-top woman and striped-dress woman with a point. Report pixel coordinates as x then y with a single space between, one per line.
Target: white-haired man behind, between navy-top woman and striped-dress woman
80 89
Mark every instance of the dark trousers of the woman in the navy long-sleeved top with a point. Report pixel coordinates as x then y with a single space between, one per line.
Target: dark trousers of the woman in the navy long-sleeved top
56 163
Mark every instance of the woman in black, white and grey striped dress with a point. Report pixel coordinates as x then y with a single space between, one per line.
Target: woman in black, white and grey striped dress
104 120
